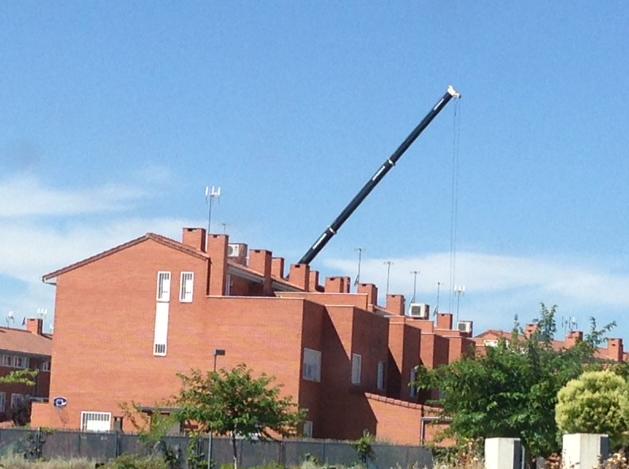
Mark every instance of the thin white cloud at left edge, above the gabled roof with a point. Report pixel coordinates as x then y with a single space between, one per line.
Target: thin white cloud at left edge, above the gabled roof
25 195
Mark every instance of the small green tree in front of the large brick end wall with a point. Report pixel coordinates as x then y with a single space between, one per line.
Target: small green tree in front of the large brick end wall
236 403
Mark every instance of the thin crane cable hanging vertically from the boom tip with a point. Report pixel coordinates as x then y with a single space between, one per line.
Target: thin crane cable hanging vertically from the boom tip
454 202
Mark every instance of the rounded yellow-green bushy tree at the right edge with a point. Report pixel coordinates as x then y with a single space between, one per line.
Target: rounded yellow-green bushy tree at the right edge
596 402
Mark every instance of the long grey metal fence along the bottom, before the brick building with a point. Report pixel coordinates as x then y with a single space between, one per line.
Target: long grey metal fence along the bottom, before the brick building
102 447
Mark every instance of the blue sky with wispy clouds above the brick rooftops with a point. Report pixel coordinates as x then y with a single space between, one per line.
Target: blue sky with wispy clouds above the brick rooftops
115 115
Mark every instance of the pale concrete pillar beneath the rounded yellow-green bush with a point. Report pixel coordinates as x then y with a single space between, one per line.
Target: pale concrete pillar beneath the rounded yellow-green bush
584 450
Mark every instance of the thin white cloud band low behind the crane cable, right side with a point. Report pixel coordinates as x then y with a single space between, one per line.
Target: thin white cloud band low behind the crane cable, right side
494 274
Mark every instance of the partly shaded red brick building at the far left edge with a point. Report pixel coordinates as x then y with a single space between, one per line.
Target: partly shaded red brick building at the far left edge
22 350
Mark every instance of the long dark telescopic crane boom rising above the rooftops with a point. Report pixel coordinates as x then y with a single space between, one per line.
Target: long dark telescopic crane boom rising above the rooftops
331 230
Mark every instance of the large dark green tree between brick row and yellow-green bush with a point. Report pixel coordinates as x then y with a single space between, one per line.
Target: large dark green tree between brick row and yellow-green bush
512 391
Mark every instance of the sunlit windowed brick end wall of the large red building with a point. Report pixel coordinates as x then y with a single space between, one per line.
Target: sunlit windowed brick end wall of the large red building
116 298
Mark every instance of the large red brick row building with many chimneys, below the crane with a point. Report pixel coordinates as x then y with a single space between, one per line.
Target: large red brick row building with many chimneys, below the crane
128 319
